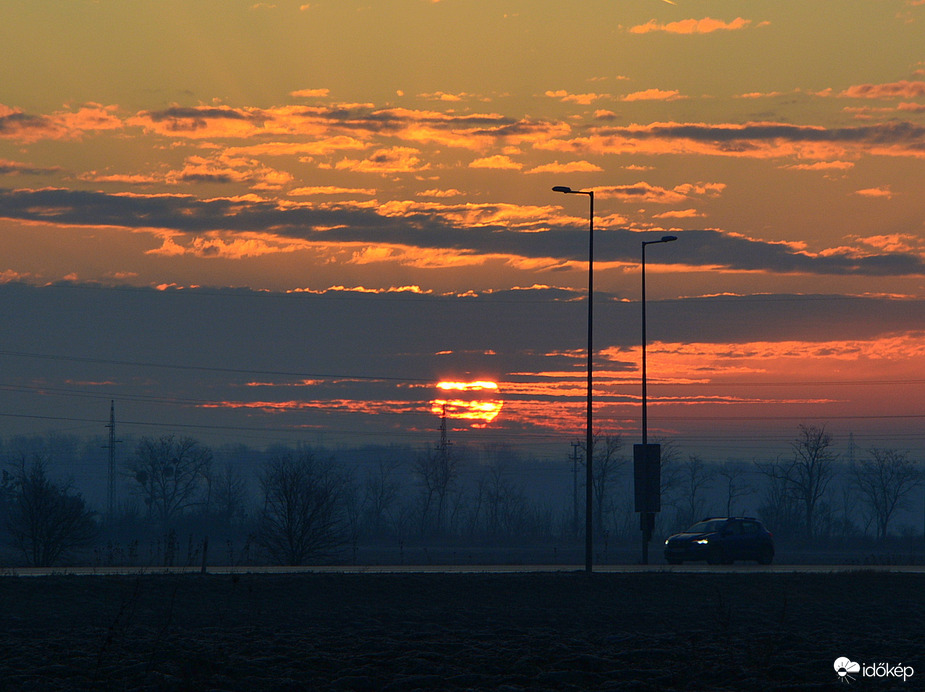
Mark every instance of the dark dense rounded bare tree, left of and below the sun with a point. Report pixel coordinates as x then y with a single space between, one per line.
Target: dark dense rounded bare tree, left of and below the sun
303 514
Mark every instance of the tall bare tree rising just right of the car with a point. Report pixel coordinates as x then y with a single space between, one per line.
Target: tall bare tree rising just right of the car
807 475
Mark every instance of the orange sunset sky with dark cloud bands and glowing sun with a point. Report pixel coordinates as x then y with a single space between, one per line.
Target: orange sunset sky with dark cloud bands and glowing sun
292 220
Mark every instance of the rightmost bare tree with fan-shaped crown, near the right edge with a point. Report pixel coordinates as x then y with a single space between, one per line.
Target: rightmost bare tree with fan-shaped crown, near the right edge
885 481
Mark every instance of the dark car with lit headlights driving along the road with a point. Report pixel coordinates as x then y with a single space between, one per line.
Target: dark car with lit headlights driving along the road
722 540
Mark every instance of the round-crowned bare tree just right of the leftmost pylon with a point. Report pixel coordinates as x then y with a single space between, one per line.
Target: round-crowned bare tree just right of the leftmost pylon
171 475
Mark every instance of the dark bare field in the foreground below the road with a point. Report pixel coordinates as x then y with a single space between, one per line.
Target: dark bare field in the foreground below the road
556 631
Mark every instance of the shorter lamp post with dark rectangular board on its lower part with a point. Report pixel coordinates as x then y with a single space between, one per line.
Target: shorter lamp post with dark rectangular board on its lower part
646 457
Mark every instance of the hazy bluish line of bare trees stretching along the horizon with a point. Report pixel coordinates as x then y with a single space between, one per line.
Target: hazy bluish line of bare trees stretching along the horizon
304 505
